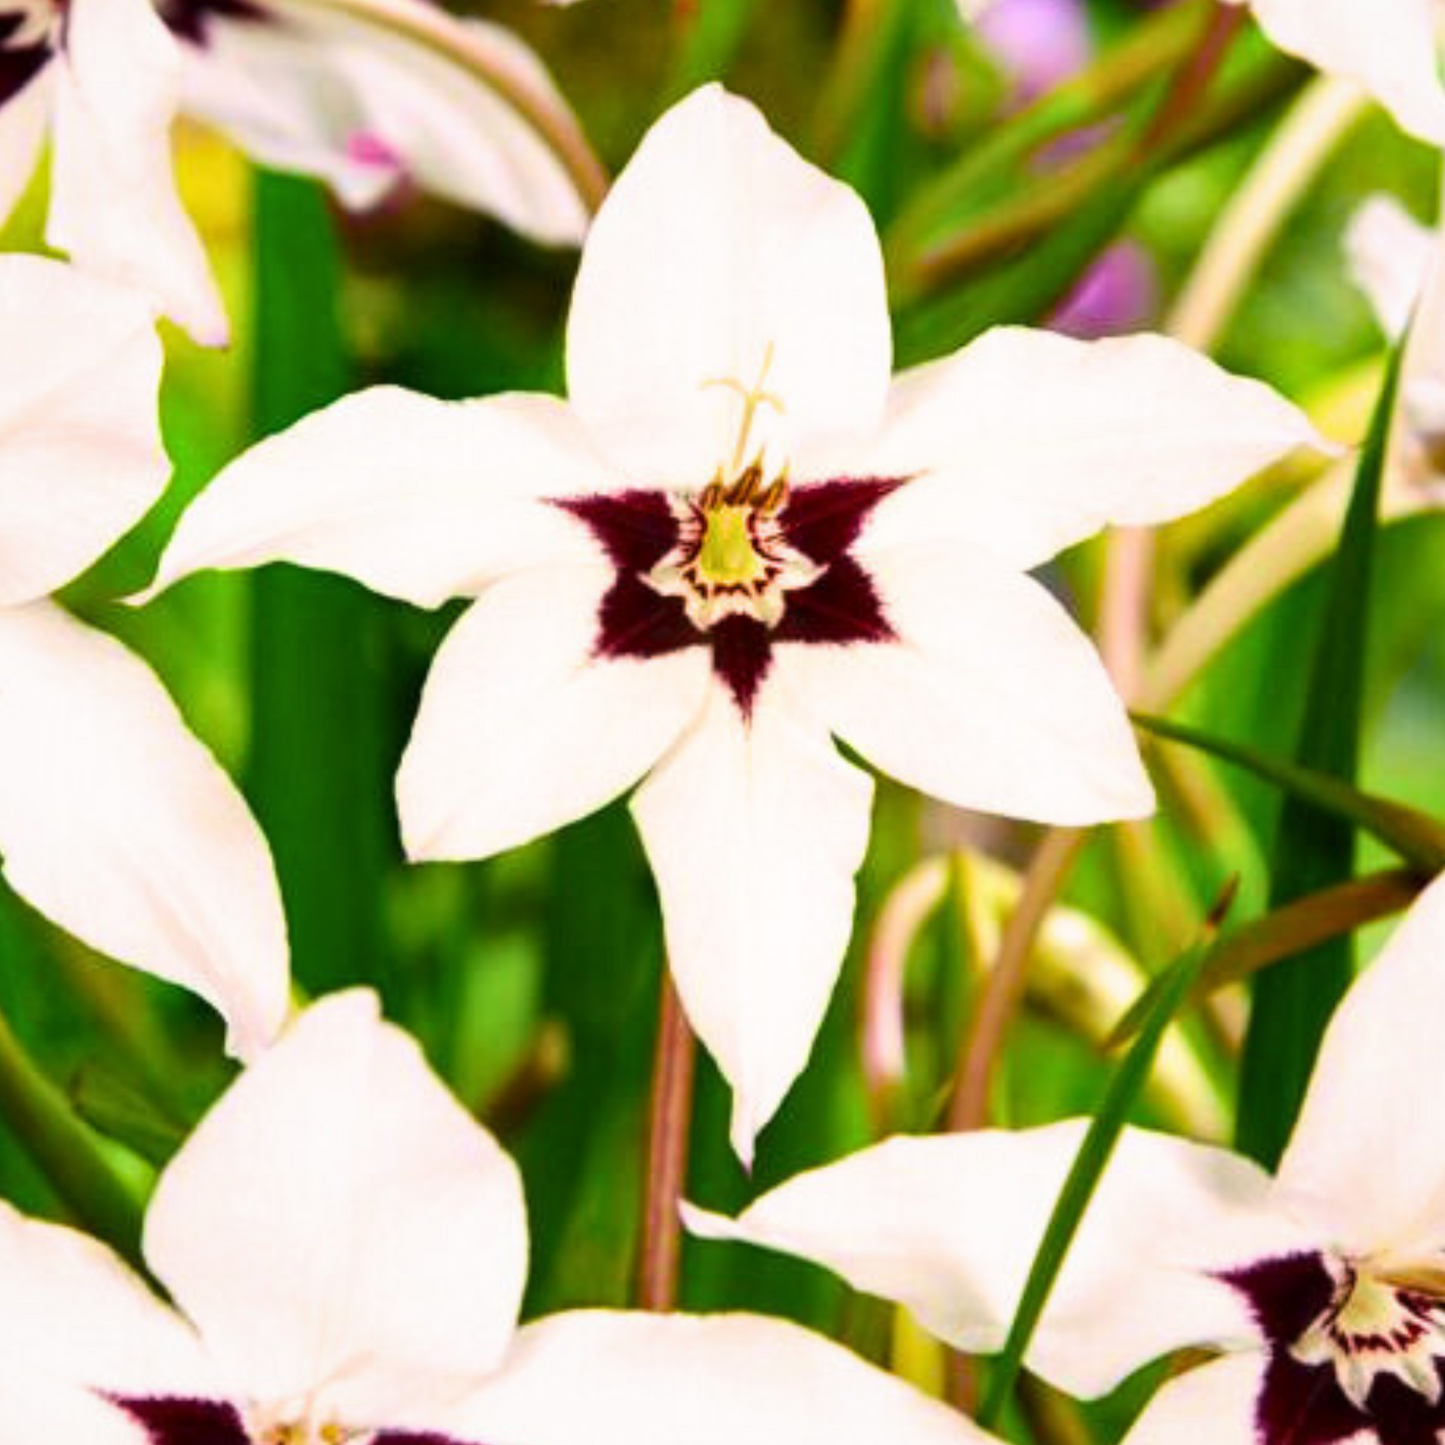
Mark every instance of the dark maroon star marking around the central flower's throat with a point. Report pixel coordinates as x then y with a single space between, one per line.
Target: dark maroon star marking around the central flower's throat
821 521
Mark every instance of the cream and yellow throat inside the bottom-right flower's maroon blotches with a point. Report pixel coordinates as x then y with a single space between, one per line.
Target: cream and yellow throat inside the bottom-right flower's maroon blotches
1381 1321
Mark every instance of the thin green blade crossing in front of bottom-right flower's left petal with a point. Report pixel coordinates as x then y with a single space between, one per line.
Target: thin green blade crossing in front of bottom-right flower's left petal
1089 1165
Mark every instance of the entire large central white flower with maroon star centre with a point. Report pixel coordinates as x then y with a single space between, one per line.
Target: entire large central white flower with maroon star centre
735 540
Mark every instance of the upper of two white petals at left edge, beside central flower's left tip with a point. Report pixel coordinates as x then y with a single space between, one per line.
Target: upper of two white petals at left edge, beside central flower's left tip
80 437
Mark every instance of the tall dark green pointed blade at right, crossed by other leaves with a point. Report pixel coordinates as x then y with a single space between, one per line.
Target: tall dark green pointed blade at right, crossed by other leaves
1316 847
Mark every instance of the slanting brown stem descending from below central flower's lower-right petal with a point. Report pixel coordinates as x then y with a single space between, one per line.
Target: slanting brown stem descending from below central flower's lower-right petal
1004 988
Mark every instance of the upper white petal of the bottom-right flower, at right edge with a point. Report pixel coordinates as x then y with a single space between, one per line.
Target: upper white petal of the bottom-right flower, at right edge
1368 1158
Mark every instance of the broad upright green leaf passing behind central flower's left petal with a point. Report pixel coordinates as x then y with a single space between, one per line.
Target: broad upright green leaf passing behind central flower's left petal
324 736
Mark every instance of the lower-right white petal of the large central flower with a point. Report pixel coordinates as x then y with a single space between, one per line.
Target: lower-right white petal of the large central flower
992 699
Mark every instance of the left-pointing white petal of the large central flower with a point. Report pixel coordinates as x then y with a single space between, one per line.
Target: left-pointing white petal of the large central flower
415 498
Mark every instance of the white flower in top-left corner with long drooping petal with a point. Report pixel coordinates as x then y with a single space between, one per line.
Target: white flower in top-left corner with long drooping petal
103 77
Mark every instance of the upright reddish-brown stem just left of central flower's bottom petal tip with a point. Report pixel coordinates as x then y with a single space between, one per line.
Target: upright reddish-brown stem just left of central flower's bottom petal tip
668 1129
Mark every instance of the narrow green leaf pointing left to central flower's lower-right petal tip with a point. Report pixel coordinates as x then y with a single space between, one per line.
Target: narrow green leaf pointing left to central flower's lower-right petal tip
1417 837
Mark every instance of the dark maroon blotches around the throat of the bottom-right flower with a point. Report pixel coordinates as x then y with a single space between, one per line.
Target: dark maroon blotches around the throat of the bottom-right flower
1303 1404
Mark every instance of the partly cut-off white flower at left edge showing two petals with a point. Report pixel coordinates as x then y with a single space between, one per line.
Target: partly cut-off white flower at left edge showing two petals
115 820
